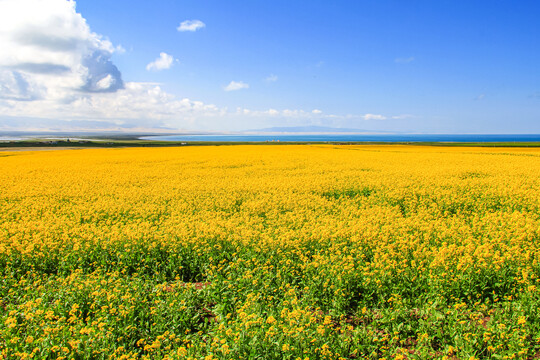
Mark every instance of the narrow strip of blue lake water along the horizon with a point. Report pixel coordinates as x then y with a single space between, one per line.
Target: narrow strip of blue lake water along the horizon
349 138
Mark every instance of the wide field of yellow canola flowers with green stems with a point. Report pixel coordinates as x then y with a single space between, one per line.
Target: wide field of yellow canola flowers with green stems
270 252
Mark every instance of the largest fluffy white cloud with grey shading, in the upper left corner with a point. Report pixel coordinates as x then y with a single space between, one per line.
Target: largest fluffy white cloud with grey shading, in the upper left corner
48 52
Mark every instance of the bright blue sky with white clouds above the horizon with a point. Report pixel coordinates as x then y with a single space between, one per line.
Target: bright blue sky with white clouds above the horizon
409 66
